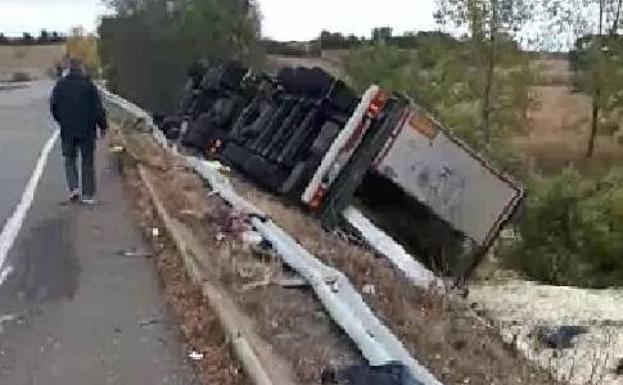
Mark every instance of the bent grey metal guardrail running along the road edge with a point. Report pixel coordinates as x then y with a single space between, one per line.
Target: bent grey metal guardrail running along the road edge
341 300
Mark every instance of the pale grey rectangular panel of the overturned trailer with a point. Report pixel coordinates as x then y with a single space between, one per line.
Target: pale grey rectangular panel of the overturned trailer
446 176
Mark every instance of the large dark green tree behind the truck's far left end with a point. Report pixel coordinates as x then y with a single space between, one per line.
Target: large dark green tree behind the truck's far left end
147 46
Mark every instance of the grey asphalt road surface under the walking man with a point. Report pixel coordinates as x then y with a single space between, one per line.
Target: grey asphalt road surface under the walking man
75 309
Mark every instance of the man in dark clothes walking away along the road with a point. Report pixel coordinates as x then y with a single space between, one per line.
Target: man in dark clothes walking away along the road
78 109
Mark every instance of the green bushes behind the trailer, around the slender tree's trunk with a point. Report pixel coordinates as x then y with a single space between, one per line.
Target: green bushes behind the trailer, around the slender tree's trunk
439 76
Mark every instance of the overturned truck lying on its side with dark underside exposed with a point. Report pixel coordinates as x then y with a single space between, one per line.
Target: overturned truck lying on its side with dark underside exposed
307 136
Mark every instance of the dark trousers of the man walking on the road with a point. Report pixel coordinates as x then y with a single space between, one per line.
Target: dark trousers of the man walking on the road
86 148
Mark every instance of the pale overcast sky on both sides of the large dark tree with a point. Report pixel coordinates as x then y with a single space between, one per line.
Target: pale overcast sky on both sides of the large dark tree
283 19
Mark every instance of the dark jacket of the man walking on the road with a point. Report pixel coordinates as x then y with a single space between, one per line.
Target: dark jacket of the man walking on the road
77 107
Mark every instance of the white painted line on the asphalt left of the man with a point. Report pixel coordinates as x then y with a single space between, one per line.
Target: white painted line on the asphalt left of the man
14 224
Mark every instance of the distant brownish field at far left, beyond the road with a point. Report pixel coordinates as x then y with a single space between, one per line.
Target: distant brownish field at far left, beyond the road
32 60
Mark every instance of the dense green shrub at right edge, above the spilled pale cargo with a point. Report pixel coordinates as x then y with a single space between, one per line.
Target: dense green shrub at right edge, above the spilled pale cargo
572 231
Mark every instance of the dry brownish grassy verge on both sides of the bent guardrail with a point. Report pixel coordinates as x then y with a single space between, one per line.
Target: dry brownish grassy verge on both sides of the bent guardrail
440 333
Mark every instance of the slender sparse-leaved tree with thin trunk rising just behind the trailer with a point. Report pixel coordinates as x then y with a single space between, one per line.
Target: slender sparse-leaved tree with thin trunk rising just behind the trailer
488 22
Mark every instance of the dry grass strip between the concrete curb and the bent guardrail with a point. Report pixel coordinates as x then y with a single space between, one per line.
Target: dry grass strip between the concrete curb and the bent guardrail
290 319
